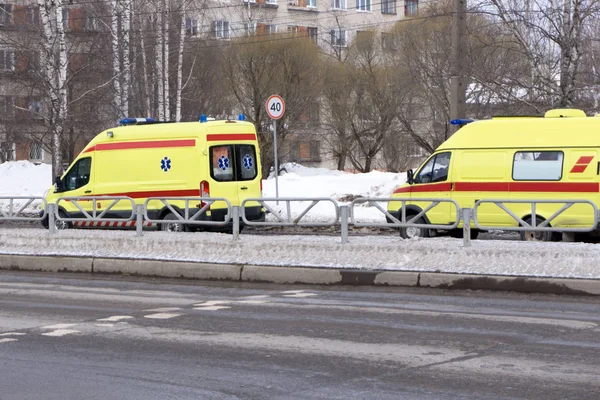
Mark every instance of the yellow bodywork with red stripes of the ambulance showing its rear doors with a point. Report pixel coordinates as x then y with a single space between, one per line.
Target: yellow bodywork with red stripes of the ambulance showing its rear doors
167 160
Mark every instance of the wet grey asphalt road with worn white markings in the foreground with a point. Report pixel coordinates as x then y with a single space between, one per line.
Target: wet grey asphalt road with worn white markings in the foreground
82 337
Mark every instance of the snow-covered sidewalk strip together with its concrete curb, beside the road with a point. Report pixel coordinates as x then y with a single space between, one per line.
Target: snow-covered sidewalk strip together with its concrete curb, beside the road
439 262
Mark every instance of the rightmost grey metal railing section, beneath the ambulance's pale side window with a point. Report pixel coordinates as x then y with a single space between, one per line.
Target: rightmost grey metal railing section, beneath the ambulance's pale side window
545 226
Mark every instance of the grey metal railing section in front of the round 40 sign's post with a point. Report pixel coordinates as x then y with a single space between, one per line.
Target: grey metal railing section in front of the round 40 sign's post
289 220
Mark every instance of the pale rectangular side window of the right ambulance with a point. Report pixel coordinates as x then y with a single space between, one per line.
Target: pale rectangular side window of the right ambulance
537 166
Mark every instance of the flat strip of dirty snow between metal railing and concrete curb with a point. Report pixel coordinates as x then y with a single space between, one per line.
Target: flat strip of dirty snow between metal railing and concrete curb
498 257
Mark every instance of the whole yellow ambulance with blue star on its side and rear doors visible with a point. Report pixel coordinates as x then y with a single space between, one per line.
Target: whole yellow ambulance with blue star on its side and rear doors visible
142 159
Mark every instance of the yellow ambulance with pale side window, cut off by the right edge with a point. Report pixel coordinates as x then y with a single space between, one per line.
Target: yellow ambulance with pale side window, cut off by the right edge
555 157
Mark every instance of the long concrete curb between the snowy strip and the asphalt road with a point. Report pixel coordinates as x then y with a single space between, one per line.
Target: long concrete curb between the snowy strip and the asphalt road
298 275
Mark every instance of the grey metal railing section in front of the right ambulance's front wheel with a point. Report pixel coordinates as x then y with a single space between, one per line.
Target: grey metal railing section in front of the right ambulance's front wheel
402 222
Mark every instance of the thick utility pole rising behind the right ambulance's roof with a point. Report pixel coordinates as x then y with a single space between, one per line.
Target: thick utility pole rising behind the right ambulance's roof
458 82
